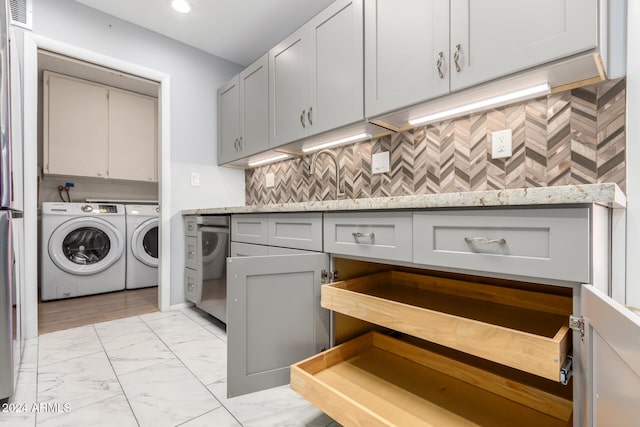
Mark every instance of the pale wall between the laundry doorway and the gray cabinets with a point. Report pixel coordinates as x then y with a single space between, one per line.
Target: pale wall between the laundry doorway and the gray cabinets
195 77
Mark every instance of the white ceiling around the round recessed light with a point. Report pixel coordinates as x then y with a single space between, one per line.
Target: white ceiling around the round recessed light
237 30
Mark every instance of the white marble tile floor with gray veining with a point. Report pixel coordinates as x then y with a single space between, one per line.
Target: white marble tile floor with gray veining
157 369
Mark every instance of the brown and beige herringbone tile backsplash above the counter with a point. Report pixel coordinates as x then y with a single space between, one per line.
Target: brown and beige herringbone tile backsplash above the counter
573 137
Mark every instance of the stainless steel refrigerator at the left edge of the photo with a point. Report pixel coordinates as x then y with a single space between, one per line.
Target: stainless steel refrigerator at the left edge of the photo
10 214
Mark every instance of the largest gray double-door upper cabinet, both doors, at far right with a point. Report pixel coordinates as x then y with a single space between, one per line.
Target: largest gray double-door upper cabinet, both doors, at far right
418 50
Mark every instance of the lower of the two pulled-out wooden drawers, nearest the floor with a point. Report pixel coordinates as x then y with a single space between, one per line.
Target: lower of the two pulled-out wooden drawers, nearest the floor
376 380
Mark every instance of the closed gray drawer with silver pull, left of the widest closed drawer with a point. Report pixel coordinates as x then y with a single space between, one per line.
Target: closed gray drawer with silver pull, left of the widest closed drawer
382 235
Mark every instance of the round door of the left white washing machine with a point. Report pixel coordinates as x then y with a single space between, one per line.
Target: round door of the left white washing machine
85 246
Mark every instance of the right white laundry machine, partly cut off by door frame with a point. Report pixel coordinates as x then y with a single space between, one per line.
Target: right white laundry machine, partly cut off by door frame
142 246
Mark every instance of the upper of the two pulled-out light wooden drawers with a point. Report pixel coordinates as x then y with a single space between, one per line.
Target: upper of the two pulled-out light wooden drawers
522 329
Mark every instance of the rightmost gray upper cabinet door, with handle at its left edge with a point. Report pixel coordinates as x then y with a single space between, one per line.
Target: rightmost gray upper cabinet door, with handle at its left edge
493 38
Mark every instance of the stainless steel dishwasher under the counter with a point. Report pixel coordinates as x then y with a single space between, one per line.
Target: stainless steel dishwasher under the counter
206 264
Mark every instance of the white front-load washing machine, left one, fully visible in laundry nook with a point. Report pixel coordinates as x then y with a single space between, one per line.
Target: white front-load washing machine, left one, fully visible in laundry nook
82 250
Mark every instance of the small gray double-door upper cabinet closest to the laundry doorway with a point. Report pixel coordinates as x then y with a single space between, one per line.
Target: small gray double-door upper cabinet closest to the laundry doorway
243 118
